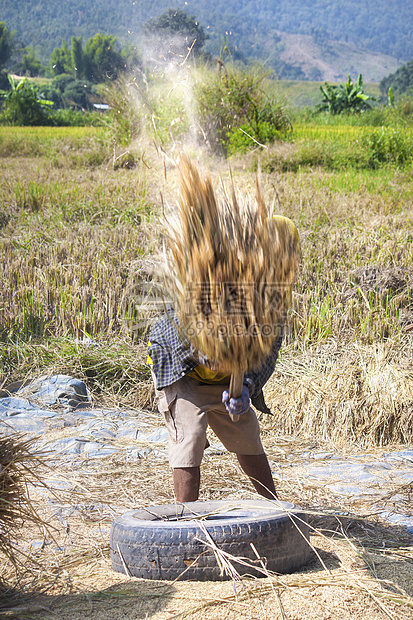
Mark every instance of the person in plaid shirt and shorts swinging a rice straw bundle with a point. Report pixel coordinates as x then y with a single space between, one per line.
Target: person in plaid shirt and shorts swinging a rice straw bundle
230 273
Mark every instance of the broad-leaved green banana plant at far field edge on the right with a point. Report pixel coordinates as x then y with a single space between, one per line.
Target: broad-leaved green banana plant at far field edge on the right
348 97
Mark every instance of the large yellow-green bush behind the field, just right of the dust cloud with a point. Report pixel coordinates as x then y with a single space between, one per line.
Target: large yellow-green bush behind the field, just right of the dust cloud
234 104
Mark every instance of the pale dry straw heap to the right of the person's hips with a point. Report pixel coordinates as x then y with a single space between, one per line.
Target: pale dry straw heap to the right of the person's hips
363 395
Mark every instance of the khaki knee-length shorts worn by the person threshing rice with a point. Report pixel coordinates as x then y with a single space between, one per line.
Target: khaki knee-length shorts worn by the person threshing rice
188 407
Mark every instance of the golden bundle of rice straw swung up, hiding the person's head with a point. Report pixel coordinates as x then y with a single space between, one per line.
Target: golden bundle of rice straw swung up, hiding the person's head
230 270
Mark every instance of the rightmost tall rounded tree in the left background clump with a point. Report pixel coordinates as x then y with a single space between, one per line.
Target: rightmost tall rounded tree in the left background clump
102 61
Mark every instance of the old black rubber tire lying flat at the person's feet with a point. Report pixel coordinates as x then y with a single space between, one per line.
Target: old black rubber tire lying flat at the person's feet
161 542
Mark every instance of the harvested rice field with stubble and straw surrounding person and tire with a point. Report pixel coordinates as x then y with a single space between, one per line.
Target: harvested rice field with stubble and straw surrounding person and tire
80 240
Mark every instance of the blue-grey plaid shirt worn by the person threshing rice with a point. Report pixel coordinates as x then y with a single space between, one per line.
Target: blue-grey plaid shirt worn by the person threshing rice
173 357
